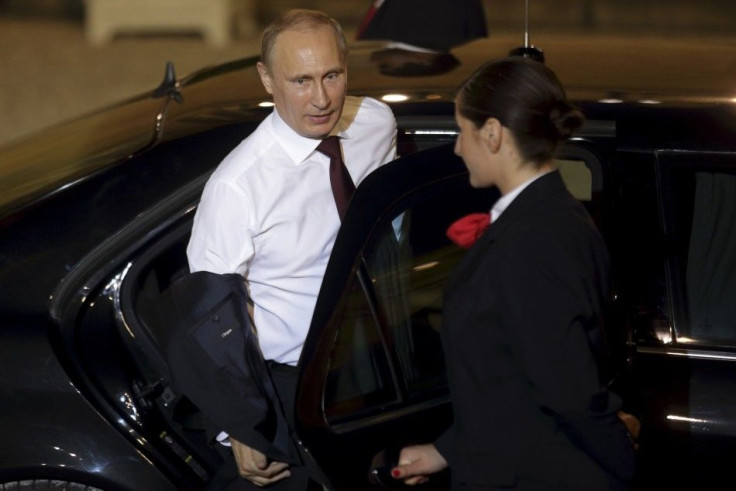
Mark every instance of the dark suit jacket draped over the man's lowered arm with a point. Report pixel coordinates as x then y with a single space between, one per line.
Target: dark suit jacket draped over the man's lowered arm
215 360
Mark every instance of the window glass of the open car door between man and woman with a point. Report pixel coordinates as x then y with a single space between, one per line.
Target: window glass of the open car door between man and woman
387 350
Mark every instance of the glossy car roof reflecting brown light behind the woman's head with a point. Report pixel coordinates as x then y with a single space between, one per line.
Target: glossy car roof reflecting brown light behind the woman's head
591 67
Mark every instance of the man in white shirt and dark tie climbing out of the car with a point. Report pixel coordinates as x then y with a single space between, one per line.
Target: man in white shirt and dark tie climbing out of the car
268 211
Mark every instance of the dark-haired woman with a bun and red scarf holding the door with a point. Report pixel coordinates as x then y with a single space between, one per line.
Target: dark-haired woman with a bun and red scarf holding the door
523 332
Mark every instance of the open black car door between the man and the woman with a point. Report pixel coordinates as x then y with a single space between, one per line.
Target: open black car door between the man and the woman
372 376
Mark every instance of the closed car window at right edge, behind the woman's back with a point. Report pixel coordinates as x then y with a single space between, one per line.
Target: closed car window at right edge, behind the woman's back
700 199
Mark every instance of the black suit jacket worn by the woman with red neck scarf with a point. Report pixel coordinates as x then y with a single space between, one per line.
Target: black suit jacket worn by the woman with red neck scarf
525 344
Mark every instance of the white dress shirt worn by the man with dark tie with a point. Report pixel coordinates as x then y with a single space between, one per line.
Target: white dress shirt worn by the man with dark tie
267 213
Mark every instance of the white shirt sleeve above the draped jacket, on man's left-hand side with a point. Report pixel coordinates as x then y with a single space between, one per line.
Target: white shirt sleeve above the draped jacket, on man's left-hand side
221 240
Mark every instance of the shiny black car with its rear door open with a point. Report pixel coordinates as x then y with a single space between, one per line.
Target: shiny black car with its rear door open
95 216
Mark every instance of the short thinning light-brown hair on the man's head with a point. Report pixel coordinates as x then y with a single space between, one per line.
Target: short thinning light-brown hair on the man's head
300 19
